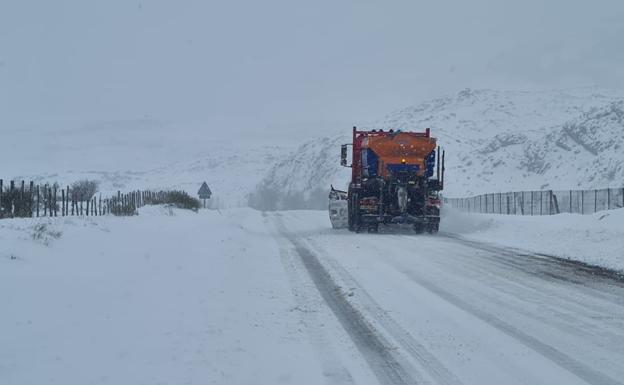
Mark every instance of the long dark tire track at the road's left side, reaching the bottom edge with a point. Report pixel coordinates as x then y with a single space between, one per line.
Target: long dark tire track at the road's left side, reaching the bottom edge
387 366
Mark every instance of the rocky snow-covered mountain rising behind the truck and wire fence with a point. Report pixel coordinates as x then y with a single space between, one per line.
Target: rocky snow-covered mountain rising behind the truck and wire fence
494 141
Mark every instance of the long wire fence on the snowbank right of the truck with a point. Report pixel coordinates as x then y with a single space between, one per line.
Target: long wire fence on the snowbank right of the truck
544 202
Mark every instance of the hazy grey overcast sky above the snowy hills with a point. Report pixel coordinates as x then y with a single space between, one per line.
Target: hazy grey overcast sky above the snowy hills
250 65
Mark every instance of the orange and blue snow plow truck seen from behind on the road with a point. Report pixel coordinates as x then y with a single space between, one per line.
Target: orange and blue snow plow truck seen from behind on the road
396 178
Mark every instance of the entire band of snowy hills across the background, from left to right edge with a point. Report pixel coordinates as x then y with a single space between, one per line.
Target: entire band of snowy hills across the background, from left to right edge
494 141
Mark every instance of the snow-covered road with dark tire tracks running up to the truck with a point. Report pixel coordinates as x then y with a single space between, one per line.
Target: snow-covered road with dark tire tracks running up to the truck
436 309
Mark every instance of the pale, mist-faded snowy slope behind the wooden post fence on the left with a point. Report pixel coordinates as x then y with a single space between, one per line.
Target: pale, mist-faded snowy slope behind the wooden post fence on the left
140 154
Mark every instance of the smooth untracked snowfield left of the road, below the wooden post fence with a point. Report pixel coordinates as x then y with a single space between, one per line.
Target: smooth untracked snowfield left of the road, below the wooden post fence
168 297
